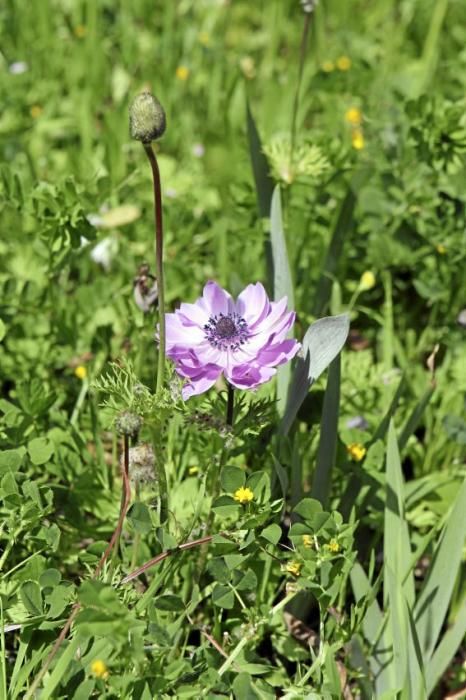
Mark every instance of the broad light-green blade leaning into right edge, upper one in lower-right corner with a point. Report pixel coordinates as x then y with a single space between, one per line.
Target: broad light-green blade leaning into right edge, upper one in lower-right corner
434 598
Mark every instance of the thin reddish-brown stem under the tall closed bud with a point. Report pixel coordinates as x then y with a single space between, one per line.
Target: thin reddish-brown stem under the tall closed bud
158 261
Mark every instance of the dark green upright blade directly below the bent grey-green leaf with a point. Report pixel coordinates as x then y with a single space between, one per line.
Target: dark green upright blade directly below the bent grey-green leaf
328 435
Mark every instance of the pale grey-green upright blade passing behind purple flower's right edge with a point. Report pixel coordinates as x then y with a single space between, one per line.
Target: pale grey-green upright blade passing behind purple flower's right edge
282 285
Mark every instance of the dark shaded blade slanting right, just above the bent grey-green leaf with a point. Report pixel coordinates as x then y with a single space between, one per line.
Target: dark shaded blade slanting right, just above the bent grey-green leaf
335 249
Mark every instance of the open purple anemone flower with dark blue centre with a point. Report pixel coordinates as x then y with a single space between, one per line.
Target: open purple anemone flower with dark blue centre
244 339
